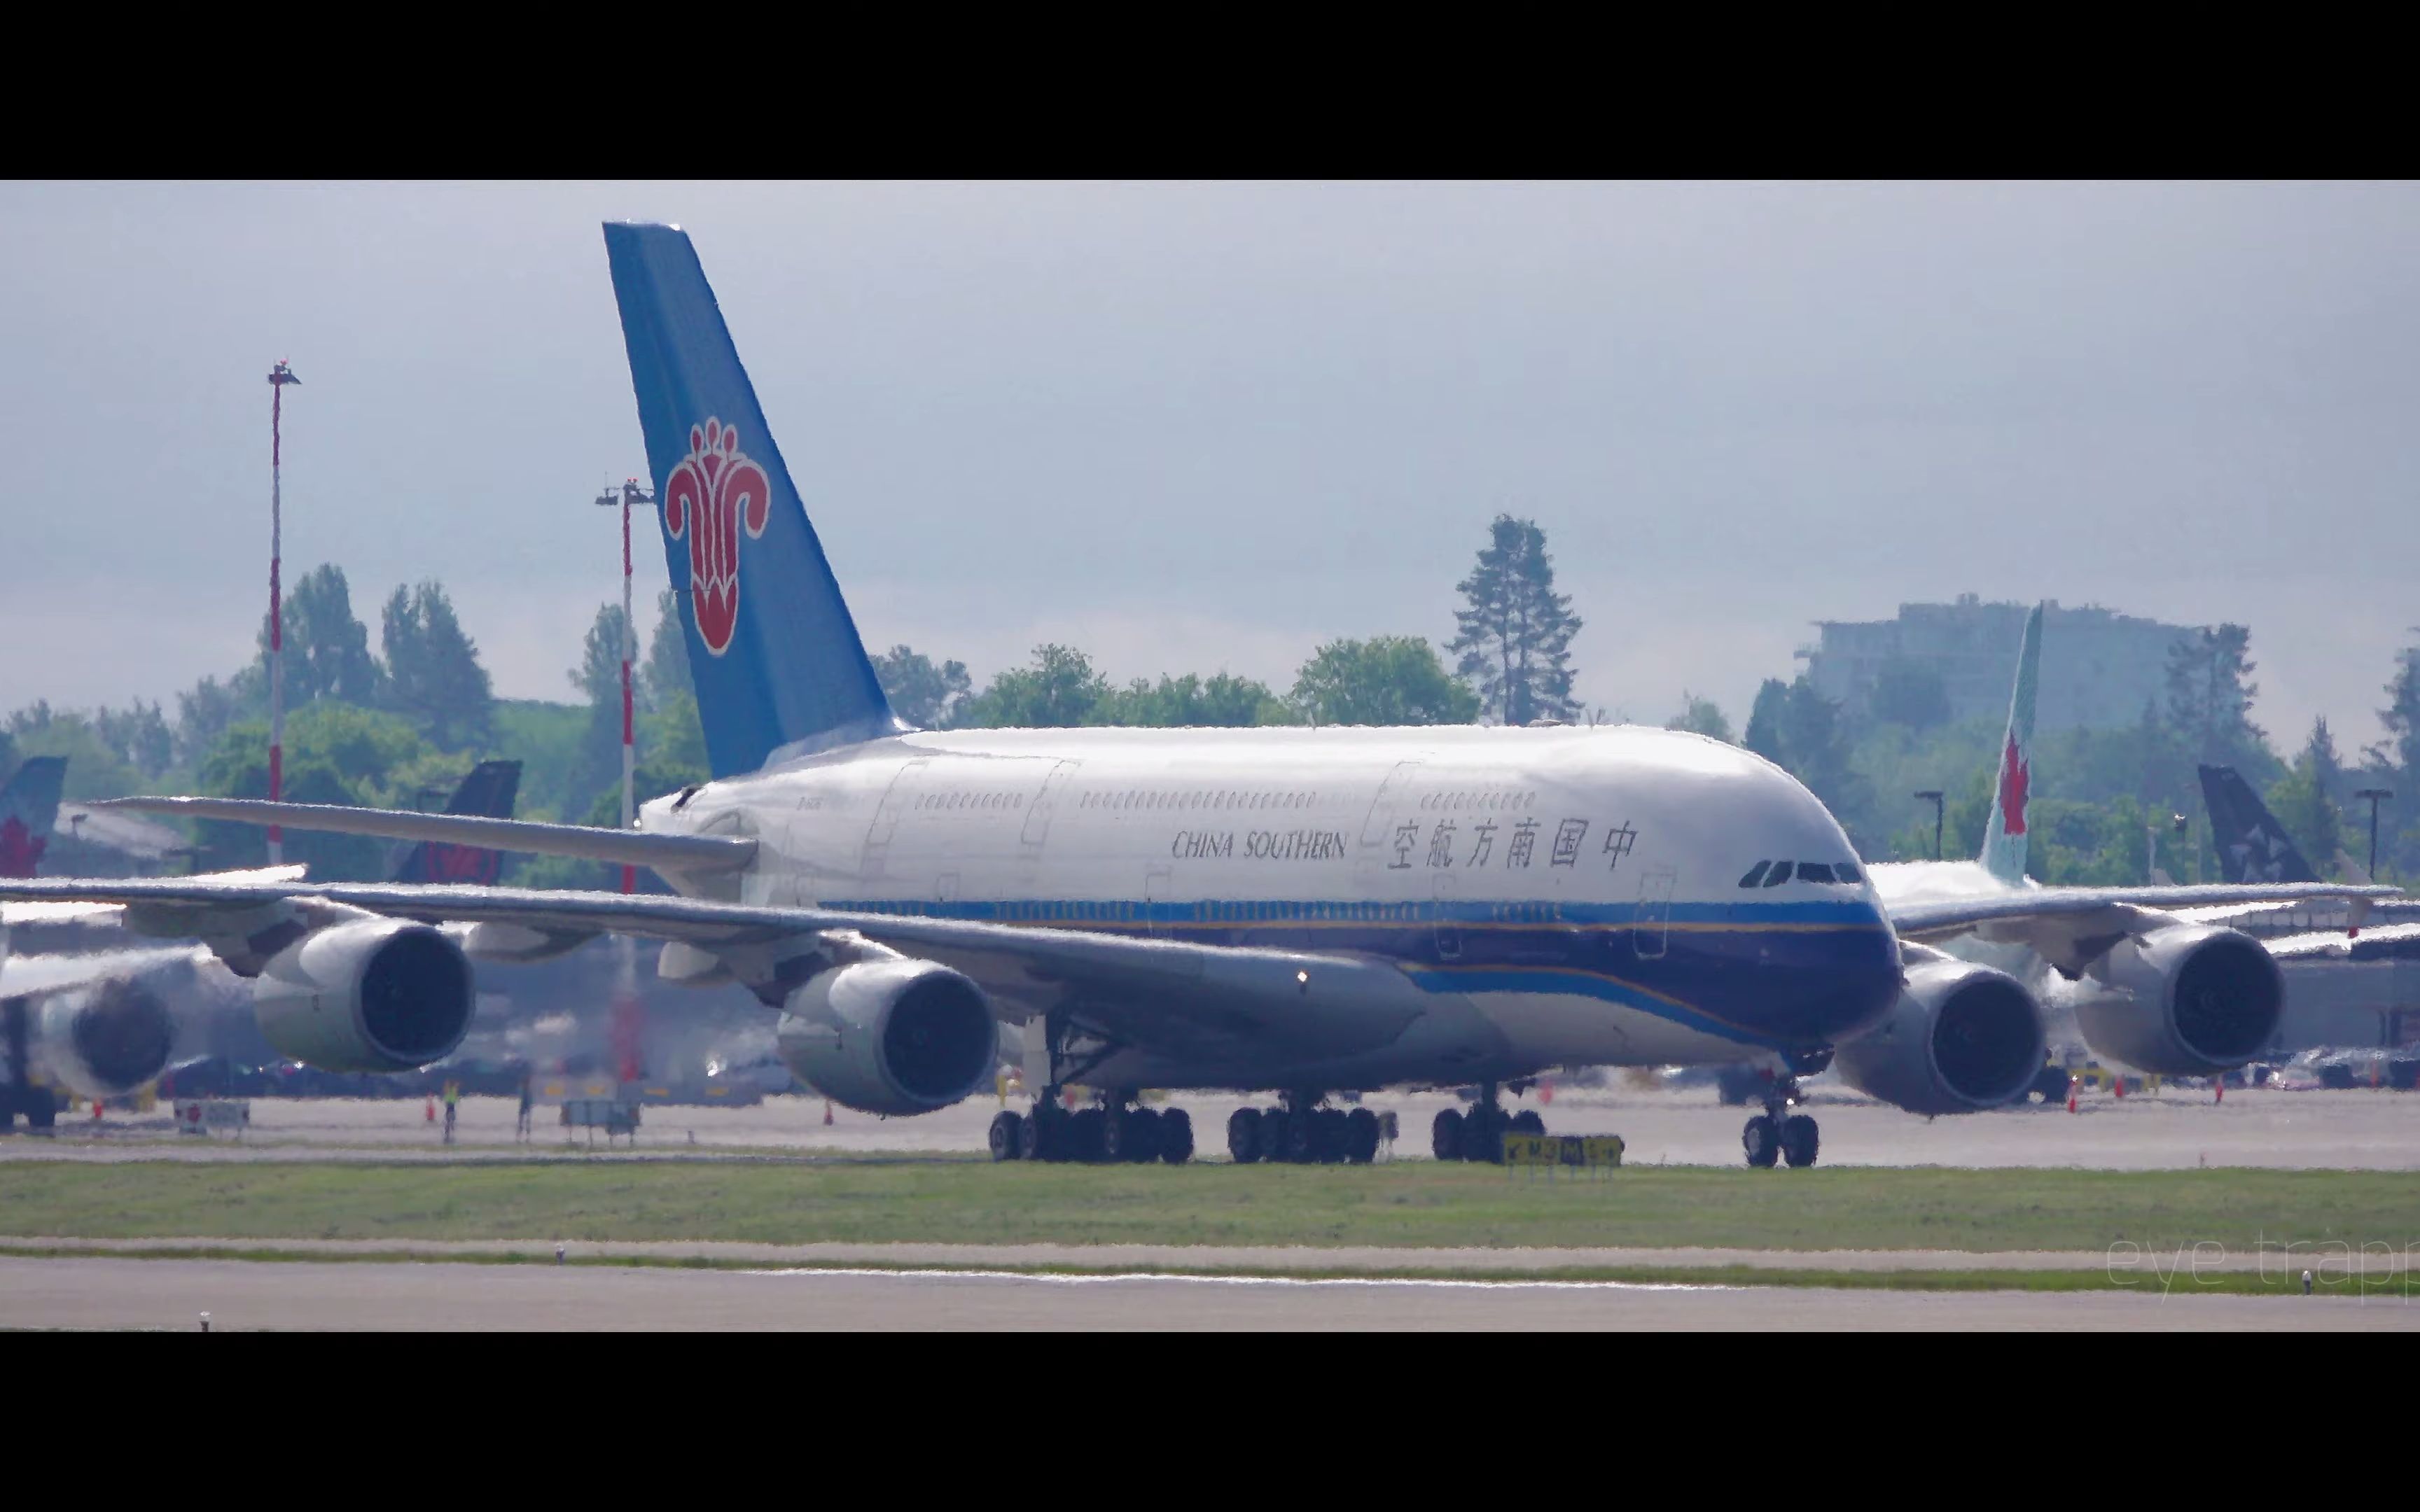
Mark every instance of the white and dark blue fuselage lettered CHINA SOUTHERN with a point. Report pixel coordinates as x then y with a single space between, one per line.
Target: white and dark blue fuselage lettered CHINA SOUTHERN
1577 887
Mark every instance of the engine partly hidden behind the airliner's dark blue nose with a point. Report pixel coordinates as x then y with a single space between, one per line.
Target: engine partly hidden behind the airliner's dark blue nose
1961 1039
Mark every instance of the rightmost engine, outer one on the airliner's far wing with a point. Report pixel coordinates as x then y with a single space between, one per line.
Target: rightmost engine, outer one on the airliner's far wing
2189 1000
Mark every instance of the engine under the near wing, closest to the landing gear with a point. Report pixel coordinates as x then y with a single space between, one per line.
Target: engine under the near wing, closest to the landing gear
889 1037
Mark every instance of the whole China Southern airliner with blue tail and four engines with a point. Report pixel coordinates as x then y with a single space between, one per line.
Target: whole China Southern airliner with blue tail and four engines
1260 911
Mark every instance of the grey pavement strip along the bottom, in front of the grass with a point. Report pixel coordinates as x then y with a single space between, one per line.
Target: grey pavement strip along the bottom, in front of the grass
171 1295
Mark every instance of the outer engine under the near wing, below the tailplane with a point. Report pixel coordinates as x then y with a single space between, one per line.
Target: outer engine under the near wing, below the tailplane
379 996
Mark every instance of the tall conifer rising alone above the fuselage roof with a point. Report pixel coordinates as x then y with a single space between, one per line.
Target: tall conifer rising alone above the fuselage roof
1516 630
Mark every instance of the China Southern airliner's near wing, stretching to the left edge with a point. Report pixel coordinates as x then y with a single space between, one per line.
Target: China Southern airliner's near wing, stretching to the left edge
1165 996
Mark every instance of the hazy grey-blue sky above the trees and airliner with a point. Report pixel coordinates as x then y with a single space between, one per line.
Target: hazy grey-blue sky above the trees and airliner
1197 427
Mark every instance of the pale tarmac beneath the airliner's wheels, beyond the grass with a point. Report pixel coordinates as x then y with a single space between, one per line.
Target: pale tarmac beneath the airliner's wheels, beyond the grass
2353 1131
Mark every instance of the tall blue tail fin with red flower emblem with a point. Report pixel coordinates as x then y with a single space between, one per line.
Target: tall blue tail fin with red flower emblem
773 647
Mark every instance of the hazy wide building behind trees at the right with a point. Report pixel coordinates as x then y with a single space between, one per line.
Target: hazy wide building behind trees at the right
2099 666
